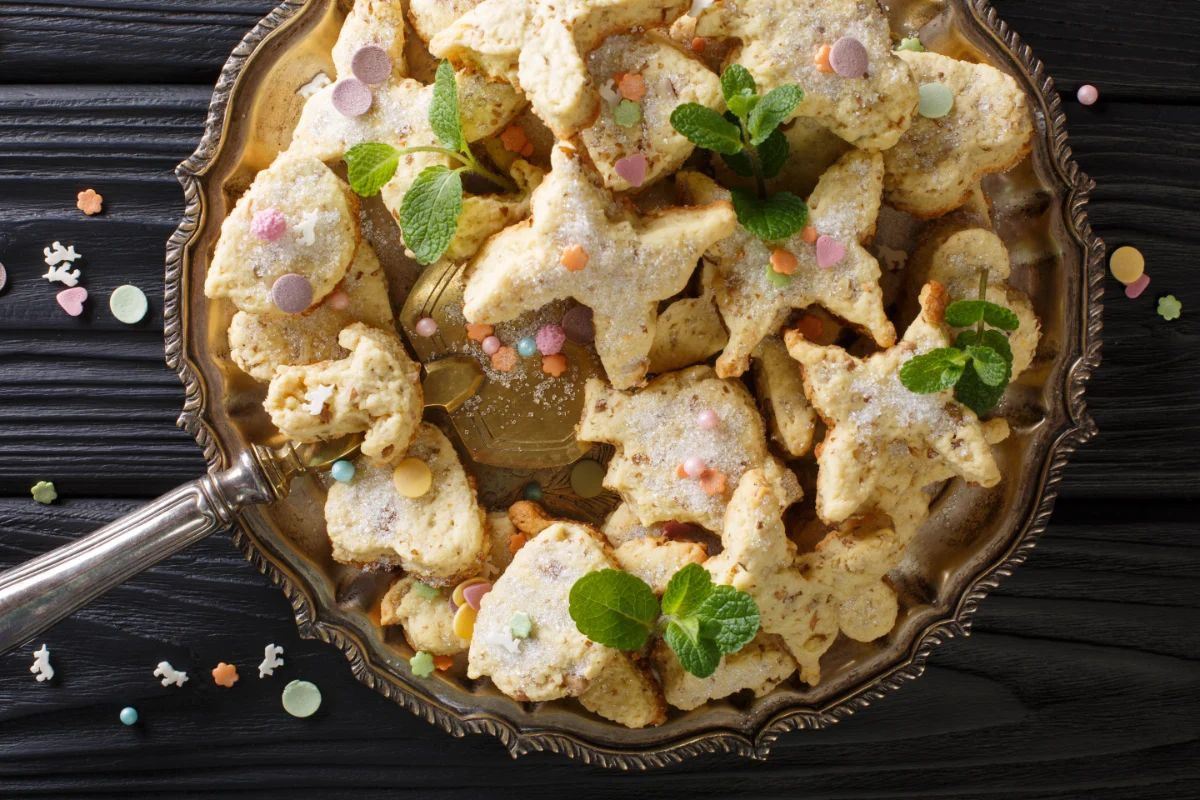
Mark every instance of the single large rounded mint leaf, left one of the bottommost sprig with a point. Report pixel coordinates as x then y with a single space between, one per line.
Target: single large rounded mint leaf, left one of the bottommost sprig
614 609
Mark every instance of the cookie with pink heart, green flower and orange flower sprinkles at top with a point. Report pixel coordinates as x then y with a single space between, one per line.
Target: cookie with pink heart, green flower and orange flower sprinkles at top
663 77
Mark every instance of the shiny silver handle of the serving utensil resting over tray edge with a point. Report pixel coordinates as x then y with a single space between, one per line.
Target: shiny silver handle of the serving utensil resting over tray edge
40 593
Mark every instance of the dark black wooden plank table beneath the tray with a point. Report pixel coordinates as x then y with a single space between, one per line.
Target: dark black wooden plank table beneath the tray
1081 679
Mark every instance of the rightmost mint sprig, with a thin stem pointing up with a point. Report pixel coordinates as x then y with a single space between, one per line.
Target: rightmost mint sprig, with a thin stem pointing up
980 366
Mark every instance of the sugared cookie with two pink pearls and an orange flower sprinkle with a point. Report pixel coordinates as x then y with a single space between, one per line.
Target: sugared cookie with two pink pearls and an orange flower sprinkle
667 429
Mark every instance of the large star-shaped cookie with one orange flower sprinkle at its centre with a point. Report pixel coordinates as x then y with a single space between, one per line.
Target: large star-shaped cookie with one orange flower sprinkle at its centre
583 243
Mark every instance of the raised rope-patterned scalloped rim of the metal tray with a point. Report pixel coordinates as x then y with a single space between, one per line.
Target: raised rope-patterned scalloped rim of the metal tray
519 742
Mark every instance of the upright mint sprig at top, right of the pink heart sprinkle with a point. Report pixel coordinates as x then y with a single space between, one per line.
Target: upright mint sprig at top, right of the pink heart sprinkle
749 140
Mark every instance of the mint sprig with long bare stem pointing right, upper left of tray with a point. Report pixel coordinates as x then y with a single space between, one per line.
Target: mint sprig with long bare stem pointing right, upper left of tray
429 214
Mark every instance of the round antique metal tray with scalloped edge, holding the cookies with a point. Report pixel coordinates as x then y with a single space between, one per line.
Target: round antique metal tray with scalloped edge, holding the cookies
973 542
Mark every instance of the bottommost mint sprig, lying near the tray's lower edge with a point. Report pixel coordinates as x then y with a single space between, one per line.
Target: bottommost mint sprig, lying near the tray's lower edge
700 622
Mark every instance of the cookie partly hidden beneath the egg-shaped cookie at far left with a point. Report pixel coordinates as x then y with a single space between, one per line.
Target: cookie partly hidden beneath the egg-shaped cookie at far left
259 344
